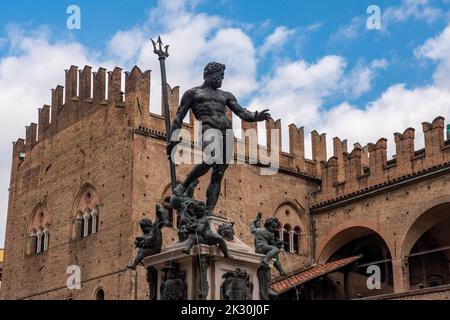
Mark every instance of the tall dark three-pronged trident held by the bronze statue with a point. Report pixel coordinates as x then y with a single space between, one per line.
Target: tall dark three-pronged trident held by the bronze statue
163 53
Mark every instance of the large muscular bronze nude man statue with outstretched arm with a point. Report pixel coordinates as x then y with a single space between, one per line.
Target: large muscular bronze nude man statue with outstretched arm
208 104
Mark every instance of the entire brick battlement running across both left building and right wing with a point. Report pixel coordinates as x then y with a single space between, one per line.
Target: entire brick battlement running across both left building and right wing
344 173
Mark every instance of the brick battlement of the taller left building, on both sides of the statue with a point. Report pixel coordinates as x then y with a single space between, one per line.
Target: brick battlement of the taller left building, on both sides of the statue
86 91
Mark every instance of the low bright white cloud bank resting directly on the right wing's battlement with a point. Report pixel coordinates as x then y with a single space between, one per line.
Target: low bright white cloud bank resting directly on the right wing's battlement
397 109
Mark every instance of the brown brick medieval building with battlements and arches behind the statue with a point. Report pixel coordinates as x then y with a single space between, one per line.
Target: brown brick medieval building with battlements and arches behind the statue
95 164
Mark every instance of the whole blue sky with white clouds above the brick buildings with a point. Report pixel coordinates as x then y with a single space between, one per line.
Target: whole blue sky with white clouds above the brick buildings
314 63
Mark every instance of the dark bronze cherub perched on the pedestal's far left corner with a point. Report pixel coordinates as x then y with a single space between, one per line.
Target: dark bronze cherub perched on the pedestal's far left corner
150 242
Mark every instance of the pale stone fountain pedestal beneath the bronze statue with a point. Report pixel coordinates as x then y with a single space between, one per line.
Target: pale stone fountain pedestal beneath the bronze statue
205 274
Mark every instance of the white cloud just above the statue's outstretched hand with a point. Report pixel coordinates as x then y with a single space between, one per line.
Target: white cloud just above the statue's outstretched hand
296 90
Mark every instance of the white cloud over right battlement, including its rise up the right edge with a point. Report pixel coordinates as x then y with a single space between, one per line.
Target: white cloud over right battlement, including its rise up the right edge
398 107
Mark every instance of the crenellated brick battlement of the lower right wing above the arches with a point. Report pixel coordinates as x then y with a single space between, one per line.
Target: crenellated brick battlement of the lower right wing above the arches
347 174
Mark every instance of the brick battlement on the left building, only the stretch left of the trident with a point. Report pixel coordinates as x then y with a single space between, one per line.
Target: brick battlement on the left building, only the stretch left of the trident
84 93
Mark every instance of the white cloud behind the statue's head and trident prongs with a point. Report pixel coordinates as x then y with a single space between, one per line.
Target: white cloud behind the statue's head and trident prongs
199 39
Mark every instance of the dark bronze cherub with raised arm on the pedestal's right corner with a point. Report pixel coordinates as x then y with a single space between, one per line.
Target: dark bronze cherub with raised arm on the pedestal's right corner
265 241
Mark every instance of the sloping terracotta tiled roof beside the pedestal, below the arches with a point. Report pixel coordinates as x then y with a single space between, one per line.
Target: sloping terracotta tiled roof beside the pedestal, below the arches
295 280
